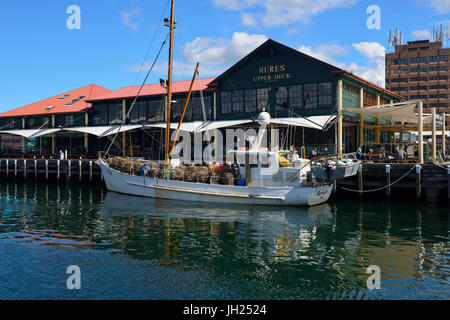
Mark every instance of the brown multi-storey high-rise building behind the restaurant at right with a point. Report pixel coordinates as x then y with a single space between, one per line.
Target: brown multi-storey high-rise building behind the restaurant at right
421 70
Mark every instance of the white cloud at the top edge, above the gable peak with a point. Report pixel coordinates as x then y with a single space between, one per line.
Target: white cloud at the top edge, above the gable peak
280 12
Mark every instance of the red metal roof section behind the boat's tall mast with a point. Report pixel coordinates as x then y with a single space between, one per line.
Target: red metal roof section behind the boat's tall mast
153 89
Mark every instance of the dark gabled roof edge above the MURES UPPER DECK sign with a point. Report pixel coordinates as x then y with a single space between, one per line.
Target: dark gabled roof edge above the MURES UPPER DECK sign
270 42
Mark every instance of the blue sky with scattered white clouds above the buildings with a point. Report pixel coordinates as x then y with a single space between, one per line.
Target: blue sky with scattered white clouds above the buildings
47 48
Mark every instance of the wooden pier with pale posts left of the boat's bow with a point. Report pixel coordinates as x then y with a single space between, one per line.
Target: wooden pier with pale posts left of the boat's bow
52 169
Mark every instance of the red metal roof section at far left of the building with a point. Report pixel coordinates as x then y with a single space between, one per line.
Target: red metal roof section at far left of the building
58 105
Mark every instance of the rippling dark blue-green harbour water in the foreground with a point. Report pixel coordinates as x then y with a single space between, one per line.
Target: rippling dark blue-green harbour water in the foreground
135 248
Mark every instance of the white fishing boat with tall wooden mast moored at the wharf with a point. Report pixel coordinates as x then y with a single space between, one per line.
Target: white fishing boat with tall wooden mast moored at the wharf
261 182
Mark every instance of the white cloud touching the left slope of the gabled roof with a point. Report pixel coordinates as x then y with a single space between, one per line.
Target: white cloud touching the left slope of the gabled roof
215 55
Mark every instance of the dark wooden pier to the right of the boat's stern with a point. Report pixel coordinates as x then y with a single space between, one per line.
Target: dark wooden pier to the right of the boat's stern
425 181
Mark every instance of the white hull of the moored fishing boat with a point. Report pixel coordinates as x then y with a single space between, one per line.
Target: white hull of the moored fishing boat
215 193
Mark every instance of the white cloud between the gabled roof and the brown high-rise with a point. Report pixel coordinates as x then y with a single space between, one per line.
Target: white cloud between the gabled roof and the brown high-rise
374 53
